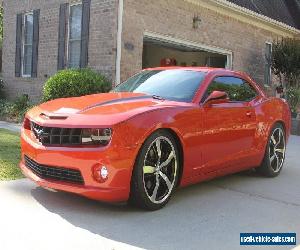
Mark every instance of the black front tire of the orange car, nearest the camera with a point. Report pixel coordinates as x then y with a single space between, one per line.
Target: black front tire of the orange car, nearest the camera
140 191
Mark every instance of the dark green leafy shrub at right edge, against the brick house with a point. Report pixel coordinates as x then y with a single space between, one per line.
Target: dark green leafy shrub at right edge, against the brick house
286 60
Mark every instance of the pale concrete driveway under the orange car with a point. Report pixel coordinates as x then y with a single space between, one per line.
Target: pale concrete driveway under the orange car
205 216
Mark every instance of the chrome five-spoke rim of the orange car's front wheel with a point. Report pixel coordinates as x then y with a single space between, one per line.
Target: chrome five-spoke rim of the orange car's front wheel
160 169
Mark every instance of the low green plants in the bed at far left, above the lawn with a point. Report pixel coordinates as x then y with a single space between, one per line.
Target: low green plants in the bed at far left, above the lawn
15 111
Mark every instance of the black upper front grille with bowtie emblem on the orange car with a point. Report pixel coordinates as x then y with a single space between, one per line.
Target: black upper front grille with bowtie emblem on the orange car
50 136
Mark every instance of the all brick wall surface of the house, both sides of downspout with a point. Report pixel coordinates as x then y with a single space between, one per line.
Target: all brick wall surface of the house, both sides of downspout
167 17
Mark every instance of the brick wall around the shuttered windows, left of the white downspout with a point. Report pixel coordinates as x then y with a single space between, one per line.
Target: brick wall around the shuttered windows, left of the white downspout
102 43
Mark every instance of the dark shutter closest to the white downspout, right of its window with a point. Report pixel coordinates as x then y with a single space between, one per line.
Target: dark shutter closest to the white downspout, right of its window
85 23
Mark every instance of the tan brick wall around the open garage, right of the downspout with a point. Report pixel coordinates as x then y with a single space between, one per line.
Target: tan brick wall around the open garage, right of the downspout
174 18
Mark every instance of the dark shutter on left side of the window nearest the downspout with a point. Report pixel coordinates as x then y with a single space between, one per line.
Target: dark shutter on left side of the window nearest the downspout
62 36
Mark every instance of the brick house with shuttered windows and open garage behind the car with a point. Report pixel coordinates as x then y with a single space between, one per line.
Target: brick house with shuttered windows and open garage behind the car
120 37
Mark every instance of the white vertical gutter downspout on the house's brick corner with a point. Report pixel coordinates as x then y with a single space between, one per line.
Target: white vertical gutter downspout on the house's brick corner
119 42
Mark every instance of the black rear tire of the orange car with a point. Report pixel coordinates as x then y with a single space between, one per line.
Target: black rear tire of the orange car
269 167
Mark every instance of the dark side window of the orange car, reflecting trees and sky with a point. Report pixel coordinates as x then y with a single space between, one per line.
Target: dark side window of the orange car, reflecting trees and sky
237 89
